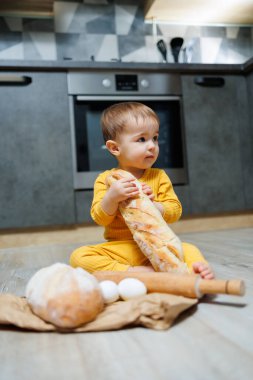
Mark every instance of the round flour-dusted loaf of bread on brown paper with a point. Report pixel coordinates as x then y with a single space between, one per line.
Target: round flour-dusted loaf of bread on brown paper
65 296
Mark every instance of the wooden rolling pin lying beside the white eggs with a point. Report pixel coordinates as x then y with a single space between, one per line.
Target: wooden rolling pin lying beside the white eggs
191 286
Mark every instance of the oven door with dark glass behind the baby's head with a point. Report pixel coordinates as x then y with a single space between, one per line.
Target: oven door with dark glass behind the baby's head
90 156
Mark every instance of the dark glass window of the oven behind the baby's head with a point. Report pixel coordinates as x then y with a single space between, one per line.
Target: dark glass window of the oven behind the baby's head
91 154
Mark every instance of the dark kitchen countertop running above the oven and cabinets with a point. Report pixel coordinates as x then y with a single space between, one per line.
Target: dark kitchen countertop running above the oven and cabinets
182 68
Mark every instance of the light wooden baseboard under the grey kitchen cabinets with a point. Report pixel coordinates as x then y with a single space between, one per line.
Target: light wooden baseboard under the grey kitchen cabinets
90 232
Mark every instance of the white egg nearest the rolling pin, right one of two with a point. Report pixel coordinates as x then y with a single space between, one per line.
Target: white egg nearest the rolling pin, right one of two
131 288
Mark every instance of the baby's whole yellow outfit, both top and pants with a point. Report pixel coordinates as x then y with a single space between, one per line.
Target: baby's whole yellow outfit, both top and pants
120 250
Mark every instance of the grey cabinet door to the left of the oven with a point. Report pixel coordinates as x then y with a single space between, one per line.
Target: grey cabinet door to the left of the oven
35 152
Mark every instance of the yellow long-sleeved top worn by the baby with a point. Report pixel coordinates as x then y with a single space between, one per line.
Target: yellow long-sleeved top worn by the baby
115 226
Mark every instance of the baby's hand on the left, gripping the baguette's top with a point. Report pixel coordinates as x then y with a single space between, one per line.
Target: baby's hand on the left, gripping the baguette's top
122 189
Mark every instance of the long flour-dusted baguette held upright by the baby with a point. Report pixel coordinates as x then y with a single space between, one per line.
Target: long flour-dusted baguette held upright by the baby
150 231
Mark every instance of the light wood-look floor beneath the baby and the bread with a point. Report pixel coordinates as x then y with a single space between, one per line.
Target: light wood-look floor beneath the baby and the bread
213 341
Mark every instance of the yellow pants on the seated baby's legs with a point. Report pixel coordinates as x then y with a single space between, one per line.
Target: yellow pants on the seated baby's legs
119 255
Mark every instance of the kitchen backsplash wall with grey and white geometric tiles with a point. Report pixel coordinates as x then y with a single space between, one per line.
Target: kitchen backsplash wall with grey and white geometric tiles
116 31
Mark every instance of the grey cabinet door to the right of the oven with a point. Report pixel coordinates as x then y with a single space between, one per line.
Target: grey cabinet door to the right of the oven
213 121
